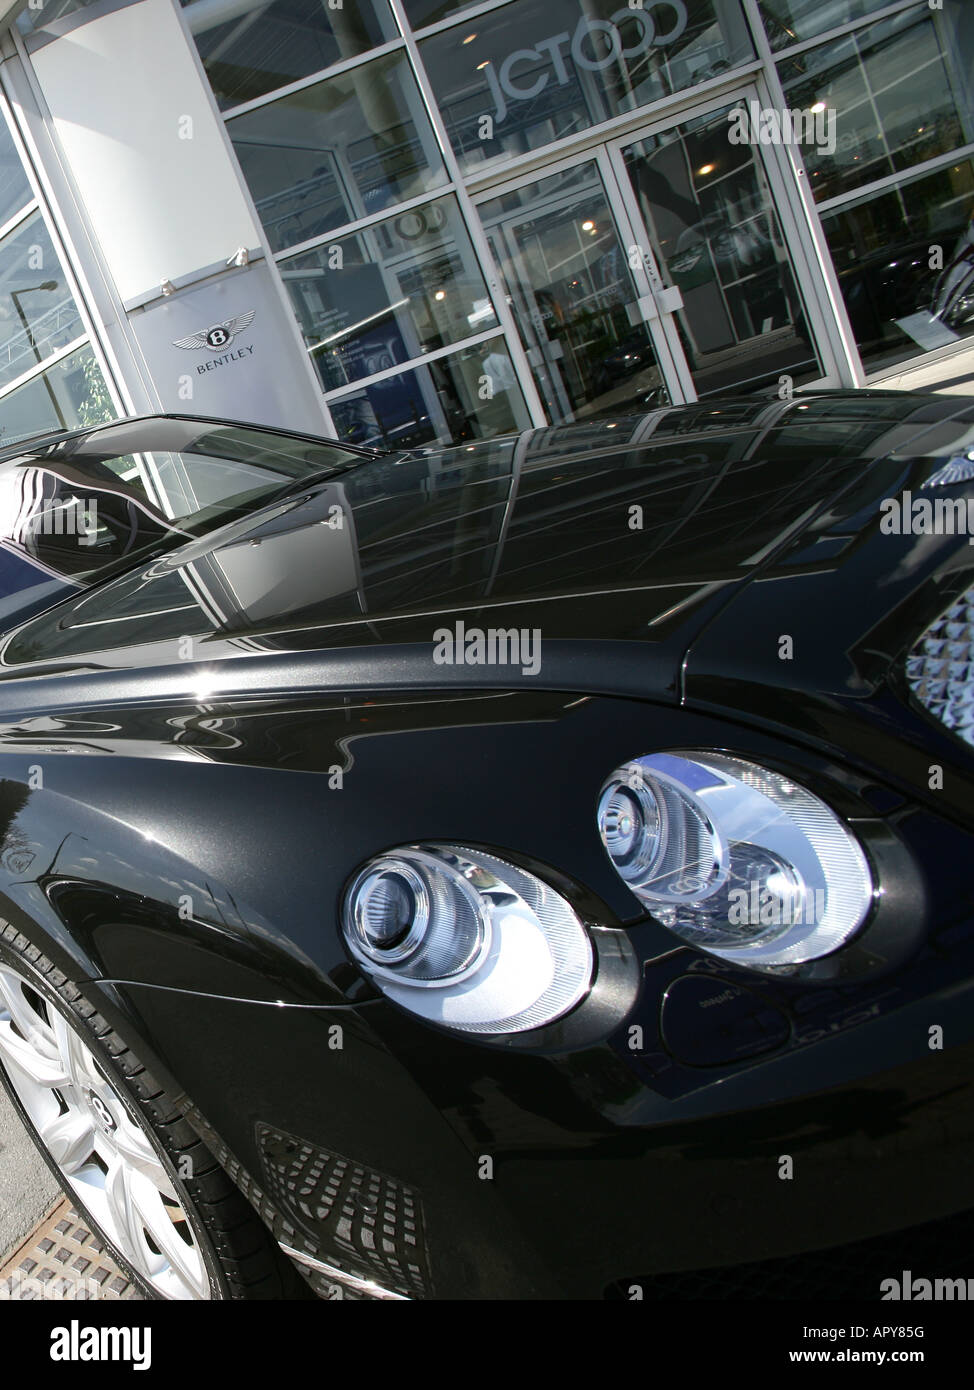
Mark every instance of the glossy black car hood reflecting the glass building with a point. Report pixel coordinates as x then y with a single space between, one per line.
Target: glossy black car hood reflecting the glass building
618 543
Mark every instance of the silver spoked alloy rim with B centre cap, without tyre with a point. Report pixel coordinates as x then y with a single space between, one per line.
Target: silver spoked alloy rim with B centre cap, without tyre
105 1157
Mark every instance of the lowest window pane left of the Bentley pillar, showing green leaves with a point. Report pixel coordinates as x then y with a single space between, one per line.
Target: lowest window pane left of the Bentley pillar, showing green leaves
69 395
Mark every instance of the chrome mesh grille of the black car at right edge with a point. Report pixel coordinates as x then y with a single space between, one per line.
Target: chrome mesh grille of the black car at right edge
940 668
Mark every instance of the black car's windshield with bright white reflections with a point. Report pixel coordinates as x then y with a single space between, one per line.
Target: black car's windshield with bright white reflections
81 508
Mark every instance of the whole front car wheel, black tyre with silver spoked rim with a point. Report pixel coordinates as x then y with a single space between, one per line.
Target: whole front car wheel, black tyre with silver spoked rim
120 1146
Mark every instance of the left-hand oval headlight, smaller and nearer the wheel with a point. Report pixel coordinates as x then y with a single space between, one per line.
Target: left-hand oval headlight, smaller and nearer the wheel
468 940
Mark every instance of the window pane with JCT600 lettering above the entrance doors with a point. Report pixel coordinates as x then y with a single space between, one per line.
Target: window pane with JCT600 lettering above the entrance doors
534 73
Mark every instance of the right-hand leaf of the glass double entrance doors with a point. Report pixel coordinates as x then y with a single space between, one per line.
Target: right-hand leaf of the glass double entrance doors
720 269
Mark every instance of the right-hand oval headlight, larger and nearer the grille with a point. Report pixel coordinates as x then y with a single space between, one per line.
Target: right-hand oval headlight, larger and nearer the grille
734 858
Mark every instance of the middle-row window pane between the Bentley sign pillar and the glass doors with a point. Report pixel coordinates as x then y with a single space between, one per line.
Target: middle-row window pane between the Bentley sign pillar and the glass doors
388 294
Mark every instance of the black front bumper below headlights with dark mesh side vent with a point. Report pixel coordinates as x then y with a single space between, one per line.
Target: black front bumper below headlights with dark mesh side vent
394 1161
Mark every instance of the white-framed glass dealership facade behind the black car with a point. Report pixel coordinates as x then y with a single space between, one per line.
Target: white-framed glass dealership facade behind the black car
533 212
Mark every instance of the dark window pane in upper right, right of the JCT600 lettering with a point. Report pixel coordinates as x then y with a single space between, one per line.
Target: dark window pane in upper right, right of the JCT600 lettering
900 92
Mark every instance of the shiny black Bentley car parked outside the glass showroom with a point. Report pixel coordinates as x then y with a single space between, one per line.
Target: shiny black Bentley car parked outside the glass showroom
538 868
